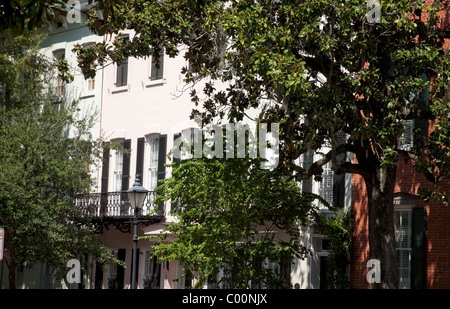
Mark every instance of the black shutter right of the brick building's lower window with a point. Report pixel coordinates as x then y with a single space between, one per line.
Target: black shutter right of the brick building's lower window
418 245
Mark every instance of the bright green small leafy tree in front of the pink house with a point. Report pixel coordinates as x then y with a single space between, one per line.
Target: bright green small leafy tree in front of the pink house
233 217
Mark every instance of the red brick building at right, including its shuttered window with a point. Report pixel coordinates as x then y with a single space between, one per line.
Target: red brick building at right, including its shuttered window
422 233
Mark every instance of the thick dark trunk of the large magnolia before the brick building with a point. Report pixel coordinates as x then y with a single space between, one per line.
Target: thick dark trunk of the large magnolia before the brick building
380 192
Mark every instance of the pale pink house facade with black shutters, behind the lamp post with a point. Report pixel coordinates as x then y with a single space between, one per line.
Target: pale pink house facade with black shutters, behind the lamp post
144 107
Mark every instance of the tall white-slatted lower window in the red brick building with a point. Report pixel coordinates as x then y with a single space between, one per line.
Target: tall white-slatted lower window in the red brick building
403 246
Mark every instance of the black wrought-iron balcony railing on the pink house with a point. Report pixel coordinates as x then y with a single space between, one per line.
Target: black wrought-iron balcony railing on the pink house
117 205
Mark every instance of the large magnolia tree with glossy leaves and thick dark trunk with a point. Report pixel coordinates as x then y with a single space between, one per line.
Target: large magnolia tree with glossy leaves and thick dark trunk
318 68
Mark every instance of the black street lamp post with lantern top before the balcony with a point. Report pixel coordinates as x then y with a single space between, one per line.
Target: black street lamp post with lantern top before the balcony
136 196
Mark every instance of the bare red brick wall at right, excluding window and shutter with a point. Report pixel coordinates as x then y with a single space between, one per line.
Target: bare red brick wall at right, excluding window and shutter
437 229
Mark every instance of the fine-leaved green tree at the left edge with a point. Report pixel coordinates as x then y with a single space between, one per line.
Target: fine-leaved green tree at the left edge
45 152
